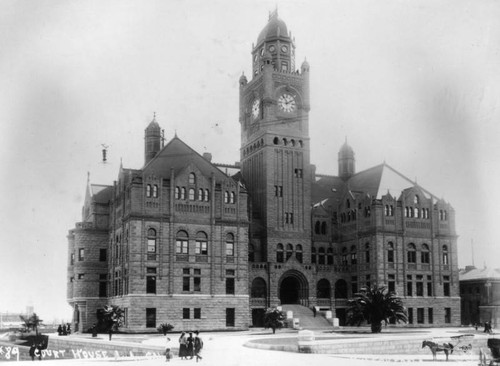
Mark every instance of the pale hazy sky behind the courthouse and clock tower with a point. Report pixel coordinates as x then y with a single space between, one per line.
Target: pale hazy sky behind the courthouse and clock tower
413 83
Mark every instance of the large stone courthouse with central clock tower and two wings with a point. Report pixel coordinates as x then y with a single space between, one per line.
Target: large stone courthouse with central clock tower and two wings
204 246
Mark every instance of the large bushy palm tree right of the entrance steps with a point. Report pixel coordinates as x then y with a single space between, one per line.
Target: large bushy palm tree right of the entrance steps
375 305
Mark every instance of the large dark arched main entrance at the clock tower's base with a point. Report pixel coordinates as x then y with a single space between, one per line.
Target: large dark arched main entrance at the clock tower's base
293 288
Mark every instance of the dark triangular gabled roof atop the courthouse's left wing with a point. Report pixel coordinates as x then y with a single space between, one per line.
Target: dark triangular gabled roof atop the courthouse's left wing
177 155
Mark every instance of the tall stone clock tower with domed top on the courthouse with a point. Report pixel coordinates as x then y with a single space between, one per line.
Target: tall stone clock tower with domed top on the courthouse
275 155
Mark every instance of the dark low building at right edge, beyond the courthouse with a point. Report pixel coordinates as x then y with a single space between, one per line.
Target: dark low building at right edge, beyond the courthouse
480 295
